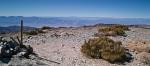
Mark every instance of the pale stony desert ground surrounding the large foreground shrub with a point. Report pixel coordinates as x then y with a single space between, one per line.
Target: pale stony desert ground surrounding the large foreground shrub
61 47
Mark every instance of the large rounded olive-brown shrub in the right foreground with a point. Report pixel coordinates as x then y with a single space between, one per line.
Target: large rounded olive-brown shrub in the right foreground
104 48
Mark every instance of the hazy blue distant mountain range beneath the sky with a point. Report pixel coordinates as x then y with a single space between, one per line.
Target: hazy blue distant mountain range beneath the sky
68 21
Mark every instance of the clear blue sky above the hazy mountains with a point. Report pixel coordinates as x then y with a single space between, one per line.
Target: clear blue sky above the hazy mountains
80 8
